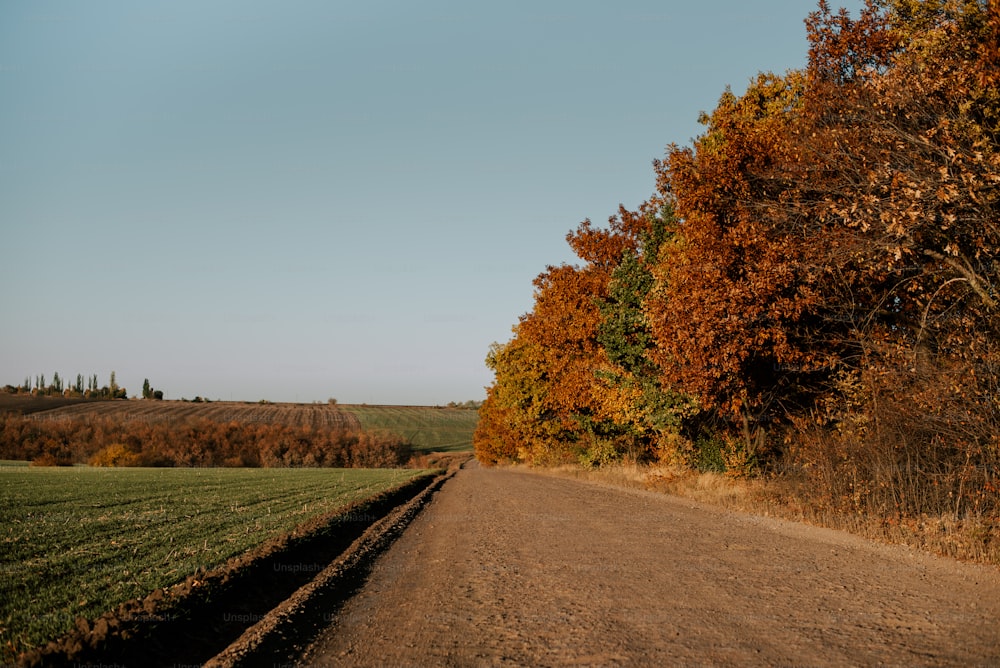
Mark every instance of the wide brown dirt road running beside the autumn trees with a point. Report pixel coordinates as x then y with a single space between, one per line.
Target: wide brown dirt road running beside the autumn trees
513 568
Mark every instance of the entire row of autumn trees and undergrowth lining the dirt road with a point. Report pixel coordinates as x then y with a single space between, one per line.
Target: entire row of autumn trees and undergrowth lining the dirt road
809 301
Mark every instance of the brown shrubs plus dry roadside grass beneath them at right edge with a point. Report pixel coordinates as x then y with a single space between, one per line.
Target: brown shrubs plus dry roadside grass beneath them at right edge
908 455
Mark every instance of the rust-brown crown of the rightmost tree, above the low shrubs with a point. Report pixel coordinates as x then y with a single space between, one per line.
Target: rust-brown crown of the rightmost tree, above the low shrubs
910 183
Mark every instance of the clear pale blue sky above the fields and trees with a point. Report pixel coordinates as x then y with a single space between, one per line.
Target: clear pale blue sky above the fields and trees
298 199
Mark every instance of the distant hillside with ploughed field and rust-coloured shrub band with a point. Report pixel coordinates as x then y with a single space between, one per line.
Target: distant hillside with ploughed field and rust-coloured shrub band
423 429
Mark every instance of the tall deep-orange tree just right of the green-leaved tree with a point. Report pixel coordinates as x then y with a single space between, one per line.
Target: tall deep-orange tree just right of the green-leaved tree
733 312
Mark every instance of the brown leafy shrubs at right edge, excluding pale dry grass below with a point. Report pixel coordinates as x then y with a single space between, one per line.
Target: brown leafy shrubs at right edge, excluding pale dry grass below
919 444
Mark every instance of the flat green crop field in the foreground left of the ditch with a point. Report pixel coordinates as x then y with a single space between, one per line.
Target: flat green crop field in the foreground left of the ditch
79 541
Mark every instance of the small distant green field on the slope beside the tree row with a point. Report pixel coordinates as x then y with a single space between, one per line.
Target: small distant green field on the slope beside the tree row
426 428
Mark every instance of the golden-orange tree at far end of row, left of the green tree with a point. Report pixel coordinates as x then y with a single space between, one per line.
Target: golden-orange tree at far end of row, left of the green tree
542 406
